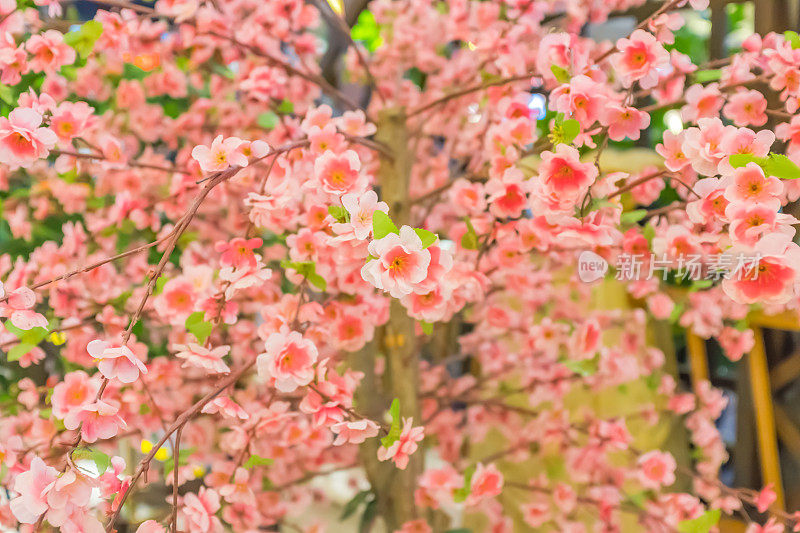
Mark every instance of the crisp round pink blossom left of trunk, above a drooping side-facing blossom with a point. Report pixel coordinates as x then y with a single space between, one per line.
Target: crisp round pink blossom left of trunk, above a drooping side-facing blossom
289 359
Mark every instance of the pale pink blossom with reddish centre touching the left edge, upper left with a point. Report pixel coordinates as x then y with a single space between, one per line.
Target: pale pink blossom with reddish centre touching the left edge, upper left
22 140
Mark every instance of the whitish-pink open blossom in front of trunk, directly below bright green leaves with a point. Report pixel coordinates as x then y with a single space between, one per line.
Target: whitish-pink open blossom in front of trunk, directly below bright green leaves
401 262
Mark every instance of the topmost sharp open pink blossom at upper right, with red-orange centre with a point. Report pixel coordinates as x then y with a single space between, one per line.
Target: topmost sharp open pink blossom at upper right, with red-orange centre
640 58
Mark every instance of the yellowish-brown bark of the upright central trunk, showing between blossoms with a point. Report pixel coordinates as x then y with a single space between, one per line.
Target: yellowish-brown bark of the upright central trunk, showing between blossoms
394 488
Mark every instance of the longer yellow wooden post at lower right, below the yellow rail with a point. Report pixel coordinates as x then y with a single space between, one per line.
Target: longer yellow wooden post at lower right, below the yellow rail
765 416
